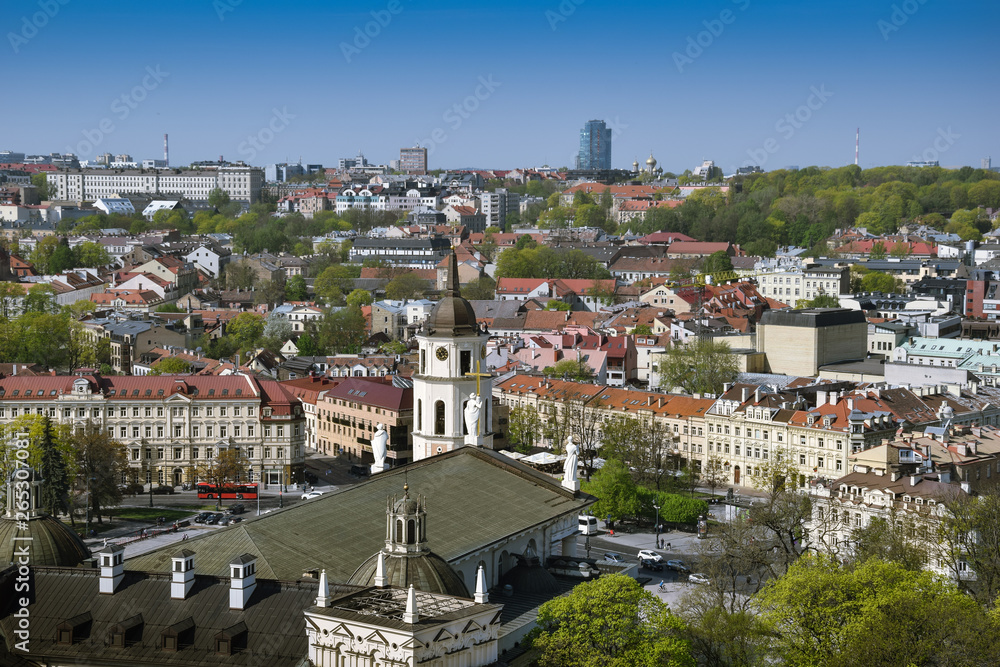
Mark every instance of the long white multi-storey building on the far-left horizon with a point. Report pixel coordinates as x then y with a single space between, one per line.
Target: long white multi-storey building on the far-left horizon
242 184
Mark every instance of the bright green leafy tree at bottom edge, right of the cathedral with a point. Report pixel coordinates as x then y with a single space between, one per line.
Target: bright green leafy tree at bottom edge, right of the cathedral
611 622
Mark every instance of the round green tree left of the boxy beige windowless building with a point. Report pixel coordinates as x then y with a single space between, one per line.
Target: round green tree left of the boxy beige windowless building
702 366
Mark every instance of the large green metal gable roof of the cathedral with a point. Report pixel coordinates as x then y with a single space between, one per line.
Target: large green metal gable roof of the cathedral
475 497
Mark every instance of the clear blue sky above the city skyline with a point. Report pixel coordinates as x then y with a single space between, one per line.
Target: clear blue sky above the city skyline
775 83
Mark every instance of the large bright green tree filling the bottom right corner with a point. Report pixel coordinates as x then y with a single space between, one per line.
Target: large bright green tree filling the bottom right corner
879 613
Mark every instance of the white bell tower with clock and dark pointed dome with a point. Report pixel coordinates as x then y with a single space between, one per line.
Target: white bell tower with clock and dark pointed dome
452 348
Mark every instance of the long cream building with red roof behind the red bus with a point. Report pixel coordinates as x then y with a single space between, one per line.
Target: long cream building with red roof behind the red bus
172 426
